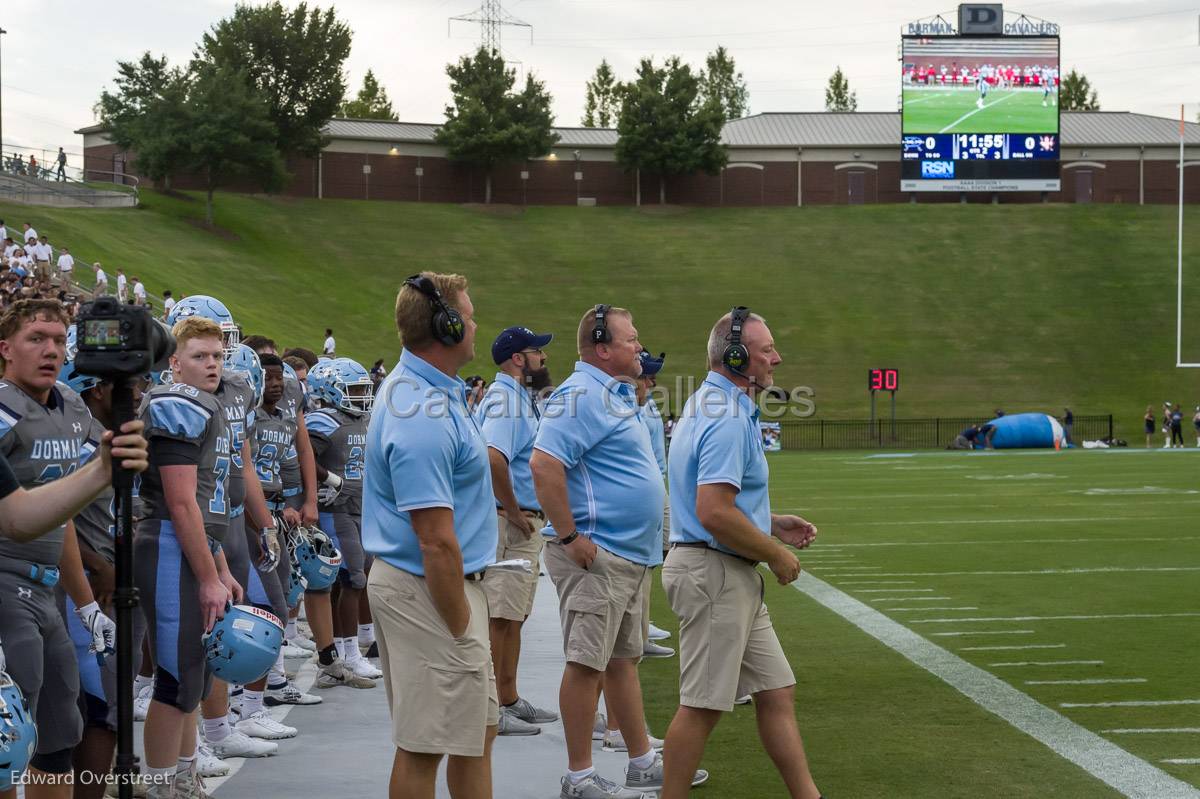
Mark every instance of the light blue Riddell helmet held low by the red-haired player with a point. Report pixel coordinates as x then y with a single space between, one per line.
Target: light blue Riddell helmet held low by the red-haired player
244 645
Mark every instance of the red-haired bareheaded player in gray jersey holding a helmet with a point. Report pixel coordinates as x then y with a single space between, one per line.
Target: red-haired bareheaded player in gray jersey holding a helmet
185 496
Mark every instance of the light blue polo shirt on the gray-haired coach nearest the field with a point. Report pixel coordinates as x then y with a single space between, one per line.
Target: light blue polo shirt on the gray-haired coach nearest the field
717 440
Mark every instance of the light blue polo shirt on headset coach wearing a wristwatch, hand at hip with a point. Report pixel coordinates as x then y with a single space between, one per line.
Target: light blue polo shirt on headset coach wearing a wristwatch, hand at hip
591 424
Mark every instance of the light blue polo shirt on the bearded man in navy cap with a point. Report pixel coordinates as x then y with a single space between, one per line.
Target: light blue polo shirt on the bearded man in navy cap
509 420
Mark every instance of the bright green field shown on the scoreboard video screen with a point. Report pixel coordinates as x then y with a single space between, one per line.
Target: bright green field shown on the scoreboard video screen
955 111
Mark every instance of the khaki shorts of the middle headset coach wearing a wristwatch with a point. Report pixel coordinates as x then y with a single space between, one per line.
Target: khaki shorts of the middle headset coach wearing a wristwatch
601 608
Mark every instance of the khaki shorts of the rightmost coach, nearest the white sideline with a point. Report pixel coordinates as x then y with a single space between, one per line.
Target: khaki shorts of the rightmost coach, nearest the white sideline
728 646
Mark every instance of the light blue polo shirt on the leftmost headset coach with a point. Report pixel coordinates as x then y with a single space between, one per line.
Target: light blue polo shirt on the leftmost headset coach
425 450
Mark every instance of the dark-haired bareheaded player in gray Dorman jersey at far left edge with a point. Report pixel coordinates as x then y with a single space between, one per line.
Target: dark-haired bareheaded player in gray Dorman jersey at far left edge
45 435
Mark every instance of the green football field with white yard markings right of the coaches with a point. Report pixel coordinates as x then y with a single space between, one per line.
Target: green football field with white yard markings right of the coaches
989 538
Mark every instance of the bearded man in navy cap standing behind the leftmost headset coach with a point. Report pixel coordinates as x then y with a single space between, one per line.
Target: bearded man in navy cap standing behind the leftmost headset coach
508 418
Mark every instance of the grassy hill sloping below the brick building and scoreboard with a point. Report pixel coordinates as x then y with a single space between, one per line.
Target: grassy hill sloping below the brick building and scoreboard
1015 307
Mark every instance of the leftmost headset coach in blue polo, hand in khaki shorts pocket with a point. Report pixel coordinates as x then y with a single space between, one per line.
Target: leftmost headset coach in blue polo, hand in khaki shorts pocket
429 519
